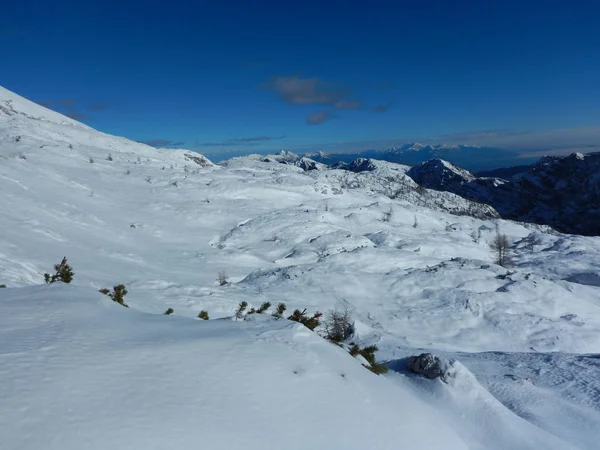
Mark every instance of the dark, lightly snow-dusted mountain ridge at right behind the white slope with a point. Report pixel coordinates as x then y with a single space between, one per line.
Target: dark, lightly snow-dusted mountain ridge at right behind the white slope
563 192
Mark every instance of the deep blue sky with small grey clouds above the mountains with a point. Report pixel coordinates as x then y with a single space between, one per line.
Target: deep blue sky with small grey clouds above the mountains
264 75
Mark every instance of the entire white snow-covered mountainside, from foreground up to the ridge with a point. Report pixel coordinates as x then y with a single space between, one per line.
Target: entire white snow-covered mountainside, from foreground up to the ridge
80 371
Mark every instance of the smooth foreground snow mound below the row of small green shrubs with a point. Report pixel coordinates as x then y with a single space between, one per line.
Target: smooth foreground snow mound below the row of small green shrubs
85 372
